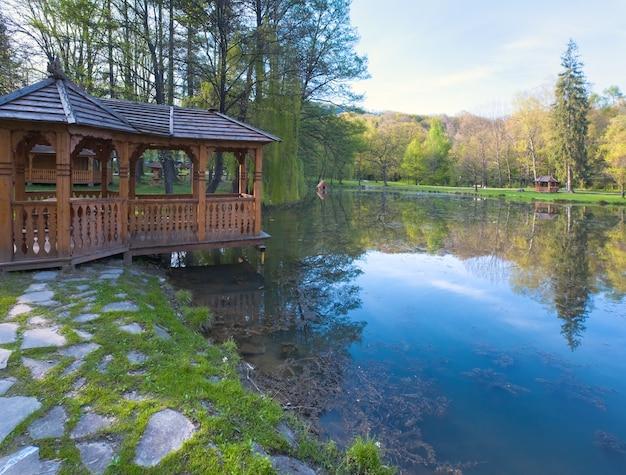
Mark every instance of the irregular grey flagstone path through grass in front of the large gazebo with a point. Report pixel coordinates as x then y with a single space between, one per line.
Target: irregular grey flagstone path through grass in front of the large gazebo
166 431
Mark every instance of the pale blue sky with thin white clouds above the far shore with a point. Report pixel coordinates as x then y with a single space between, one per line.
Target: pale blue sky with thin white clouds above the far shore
431 57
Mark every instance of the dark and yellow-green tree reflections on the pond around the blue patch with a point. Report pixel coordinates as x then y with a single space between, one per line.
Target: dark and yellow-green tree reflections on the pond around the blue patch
293 325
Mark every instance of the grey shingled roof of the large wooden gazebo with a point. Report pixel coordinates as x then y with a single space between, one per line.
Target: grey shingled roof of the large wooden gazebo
57 100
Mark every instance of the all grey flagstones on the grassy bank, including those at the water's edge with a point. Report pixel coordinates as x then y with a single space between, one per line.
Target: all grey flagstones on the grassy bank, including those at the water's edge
25 329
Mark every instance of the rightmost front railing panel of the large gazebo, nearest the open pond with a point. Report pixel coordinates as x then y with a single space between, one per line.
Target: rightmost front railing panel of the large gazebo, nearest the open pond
229 217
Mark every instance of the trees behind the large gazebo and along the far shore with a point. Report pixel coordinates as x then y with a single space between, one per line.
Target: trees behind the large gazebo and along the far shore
286 66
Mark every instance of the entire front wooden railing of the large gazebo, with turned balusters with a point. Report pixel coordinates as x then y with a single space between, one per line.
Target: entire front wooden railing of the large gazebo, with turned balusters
102 225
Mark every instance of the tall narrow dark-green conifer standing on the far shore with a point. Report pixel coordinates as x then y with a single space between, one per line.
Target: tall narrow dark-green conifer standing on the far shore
570 117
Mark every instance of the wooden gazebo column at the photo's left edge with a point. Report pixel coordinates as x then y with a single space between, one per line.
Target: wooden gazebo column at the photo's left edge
6 196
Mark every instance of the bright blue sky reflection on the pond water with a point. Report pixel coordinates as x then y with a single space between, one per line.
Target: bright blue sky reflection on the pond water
521 401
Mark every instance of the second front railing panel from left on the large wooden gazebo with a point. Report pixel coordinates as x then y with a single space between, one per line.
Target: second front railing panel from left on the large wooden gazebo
96 225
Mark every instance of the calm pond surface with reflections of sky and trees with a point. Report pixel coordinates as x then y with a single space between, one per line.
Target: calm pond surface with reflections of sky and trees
478 336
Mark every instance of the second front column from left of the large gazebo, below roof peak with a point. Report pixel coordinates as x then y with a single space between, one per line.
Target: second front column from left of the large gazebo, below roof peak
63 194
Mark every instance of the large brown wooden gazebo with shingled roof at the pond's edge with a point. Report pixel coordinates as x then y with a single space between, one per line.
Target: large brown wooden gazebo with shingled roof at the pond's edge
67 226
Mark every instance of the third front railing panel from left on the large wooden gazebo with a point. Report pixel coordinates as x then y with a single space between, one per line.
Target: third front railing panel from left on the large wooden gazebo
155 222
